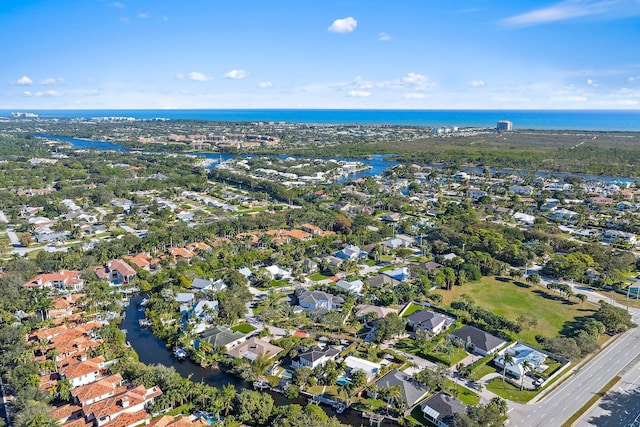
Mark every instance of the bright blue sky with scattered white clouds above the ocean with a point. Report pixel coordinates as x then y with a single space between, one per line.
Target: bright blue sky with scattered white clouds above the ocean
408 54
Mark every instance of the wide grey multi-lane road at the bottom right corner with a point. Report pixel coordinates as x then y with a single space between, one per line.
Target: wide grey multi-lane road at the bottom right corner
565 400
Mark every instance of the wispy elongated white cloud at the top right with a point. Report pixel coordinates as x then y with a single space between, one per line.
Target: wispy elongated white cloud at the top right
571 9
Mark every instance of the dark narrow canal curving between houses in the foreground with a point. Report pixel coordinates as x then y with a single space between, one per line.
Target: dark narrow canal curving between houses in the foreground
152 350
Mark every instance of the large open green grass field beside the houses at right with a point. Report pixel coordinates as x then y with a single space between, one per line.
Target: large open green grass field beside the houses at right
554 315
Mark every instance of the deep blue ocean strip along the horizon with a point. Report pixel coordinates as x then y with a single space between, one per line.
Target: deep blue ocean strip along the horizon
587 120
